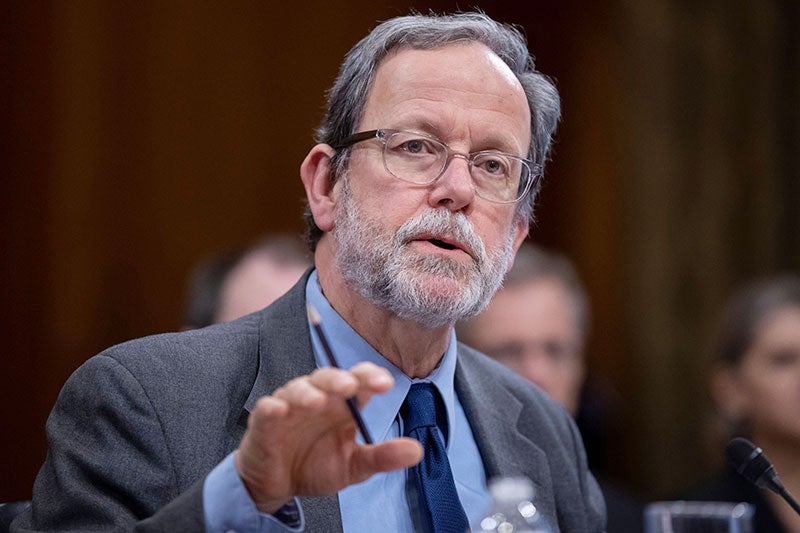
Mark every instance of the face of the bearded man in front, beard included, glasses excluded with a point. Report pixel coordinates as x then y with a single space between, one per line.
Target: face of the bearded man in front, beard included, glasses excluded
433 253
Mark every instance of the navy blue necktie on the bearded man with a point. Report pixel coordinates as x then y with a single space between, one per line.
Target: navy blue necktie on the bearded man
438 503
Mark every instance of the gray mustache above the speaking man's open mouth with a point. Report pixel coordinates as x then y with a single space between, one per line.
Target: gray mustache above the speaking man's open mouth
444 223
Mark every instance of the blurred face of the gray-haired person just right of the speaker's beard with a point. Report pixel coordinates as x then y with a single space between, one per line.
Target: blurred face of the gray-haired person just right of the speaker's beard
533 329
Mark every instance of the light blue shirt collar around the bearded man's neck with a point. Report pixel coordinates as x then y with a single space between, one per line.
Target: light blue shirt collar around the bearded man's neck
350 348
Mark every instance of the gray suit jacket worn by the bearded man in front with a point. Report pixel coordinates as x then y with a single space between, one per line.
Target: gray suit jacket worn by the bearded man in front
136 429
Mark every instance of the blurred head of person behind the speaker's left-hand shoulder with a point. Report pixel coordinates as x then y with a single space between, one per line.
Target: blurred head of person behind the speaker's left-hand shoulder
235 283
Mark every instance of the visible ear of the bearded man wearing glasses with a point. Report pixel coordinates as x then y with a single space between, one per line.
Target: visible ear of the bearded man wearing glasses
316 176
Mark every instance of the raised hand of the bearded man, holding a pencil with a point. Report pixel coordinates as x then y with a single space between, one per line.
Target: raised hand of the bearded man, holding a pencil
301 440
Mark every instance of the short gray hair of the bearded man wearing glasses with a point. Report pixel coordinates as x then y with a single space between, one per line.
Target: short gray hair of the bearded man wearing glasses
348 96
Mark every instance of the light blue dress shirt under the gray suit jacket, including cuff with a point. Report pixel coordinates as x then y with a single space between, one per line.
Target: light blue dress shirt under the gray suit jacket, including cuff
379 502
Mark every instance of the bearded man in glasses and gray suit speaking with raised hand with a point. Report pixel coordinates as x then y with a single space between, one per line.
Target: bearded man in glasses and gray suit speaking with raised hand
419 192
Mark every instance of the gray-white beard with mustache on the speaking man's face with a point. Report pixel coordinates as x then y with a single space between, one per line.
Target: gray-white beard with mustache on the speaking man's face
388 273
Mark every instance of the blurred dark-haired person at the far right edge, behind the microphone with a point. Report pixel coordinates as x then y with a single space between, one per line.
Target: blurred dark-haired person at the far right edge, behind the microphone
755 384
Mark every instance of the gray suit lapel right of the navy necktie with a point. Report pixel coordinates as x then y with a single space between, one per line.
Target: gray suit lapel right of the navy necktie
494 417
